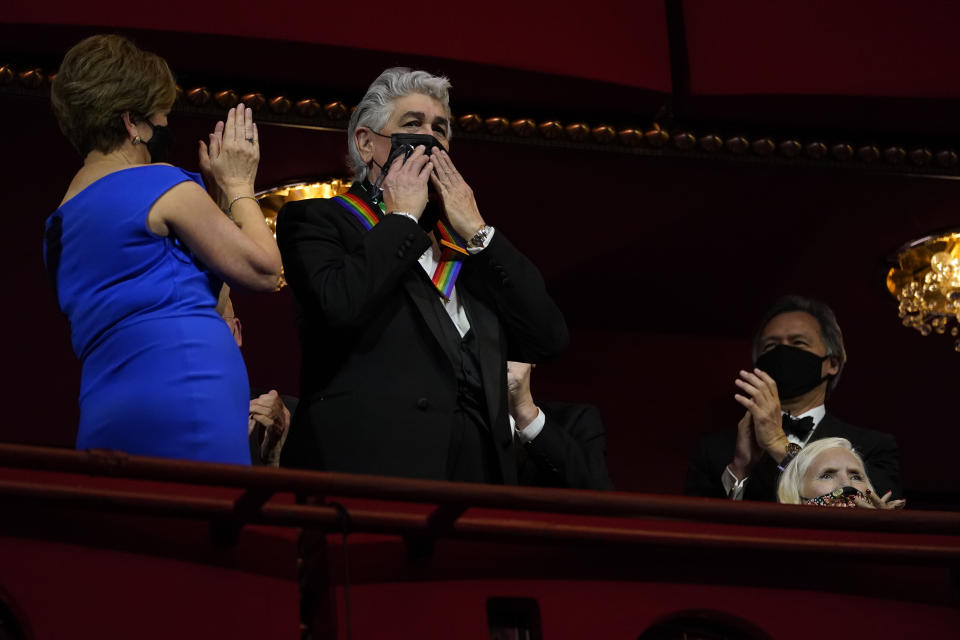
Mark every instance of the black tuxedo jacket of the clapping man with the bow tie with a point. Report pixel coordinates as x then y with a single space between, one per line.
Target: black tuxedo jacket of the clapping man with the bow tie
878 450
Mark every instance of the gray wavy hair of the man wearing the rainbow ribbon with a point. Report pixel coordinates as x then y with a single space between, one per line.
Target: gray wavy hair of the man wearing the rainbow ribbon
375 108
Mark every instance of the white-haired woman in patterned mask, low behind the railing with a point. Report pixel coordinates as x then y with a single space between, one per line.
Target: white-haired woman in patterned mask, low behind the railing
828 472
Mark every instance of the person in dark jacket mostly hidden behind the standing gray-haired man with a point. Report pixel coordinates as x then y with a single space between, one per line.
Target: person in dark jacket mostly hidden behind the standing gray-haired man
561 444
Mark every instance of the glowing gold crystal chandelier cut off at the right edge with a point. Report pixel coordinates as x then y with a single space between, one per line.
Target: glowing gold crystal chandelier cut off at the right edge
926 283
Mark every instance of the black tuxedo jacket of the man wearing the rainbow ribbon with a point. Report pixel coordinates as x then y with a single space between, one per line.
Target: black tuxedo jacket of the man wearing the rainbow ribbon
378 384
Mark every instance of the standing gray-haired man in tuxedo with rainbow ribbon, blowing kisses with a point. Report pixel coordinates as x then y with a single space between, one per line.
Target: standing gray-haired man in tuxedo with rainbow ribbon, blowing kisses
403 374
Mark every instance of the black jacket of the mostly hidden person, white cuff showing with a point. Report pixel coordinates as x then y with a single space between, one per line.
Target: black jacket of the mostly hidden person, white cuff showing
569 452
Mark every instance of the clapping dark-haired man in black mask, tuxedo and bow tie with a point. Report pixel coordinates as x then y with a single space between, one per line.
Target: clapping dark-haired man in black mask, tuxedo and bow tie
799 356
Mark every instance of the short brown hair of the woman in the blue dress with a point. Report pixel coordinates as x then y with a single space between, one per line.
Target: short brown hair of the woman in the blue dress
102 77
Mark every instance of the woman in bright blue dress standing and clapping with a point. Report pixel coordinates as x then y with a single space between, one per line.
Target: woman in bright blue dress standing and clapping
137 252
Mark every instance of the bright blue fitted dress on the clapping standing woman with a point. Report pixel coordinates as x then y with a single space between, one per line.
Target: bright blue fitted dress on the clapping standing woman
161 373
